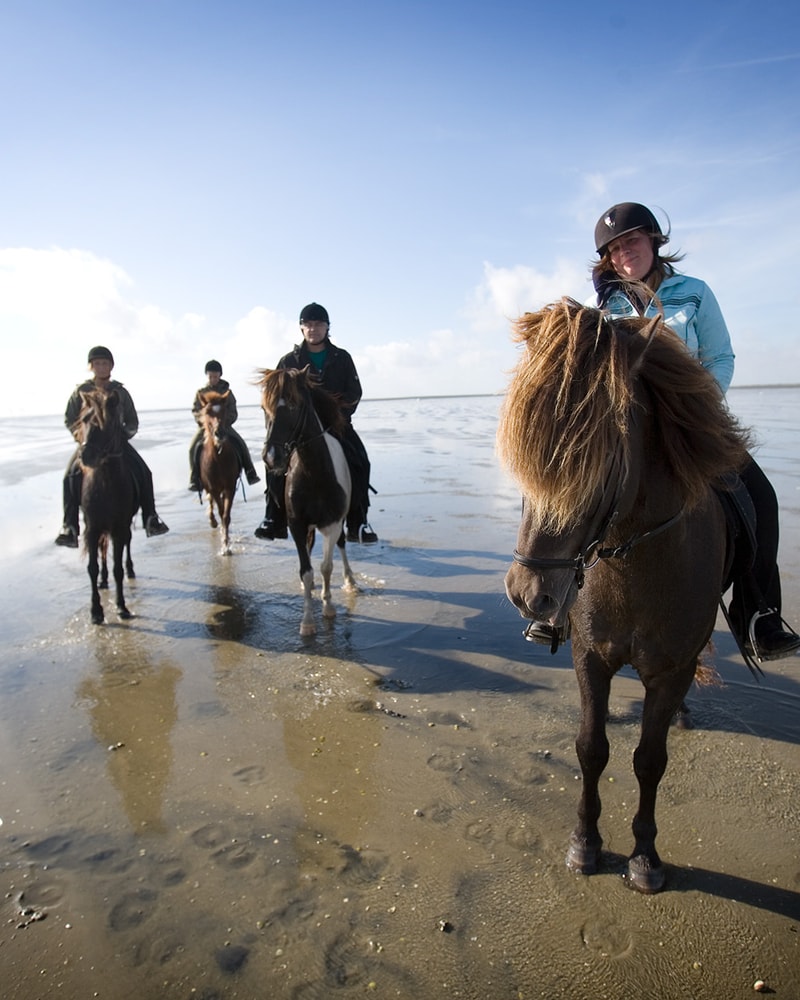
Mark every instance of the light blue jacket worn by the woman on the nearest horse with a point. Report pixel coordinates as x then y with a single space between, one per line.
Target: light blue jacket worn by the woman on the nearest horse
692 311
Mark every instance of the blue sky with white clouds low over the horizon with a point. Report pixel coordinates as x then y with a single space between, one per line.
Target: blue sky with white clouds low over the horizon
178 179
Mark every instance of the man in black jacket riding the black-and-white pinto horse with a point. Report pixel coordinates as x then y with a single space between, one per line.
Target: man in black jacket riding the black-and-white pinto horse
337 374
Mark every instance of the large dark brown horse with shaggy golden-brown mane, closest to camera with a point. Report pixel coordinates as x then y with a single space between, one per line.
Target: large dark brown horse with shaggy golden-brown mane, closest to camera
619 439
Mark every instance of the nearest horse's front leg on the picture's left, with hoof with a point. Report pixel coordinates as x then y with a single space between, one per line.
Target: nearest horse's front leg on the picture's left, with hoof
594 683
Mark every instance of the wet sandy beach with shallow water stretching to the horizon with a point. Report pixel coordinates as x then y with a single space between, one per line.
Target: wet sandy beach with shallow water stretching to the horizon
200 804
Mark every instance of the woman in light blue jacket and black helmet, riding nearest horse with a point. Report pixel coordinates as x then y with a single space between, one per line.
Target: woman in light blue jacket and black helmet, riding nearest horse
631 279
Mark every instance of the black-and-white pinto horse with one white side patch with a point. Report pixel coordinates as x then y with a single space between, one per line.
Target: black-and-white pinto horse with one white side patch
303 421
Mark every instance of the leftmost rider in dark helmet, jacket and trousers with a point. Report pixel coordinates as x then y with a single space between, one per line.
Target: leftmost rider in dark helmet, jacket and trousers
101 361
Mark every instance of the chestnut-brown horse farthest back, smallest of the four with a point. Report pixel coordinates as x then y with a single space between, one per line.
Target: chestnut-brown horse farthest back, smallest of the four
220 465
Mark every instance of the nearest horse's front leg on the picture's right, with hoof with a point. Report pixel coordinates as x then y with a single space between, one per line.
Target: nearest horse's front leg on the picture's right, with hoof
663 698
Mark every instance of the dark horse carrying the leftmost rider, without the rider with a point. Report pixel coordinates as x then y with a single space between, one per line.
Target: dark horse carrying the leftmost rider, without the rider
108 497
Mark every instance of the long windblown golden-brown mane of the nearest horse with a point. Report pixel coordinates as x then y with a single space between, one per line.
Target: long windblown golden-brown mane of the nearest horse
574 393
